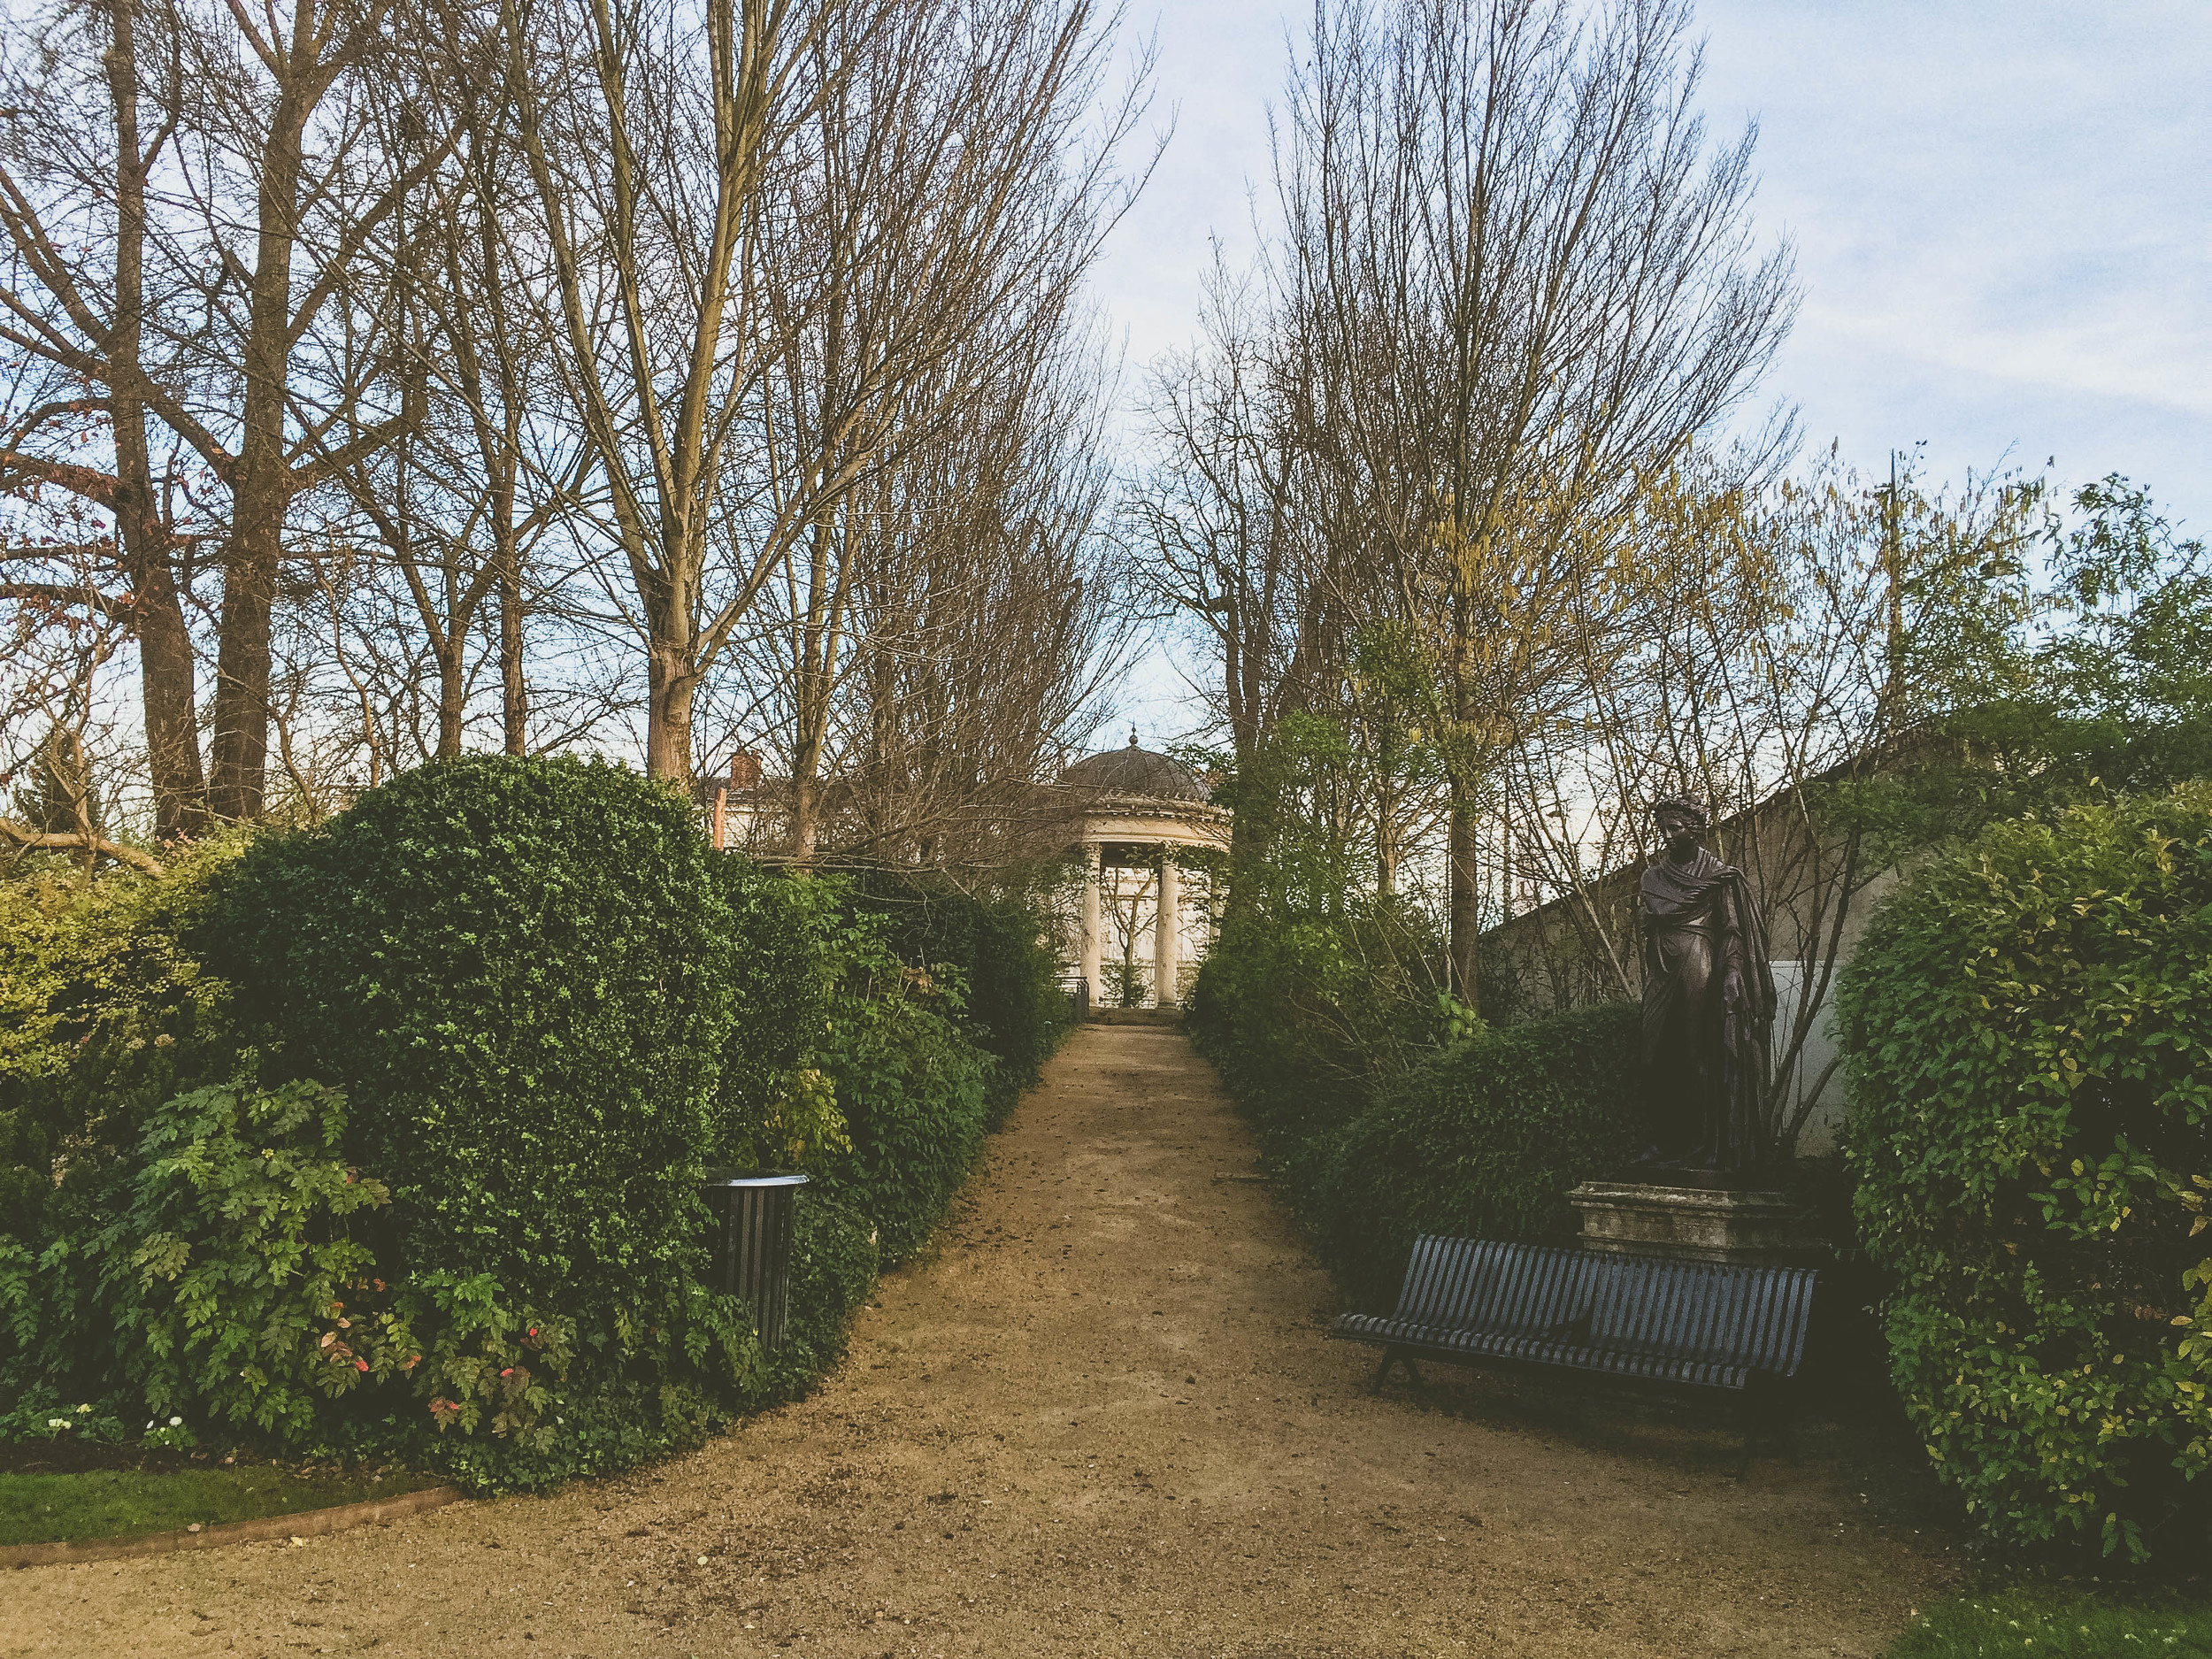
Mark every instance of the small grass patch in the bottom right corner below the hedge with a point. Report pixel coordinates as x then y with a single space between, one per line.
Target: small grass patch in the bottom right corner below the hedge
2067 1625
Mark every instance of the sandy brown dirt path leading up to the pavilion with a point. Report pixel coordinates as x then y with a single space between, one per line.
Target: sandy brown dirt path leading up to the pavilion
1103 1419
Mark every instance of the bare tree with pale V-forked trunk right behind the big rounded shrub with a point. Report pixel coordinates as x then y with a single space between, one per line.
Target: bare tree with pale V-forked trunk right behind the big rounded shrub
651 147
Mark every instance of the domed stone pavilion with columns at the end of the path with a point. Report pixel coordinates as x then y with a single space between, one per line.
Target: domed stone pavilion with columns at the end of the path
1131 813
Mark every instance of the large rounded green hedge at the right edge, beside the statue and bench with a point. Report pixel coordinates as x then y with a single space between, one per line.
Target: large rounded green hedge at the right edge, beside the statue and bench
2030 1025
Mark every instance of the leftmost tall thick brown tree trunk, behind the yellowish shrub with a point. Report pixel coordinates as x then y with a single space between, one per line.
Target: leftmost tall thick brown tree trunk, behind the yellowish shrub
158 614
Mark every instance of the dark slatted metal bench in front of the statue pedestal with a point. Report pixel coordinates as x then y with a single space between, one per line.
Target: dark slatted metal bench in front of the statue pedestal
1665 1319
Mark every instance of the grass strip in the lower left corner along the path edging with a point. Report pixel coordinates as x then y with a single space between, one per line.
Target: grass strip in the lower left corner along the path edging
114 1503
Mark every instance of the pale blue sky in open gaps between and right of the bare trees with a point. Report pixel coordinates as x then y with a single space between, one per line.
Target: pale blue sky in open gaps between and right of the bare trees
2001 211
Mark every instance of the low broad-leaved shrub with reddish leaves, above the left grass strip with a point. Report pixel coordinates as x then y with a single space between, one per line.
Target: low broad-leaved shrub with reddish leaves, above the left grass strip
222 1280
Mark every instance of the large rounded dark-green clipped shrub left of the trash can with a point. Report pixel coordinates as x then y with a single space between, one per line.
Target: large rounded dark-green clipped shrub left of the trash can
521 977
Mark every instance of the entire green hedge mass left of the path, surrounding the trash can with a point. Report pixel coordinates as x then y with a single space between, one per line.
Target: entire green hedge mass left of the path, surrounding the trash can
386 1136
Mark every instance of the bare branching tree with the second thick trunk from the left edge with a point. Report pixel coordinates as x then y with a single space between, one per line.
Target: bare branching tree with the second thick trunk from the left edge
267 198
